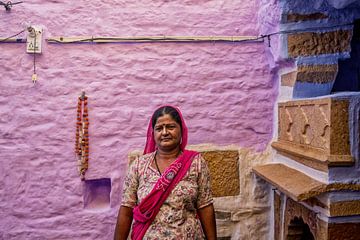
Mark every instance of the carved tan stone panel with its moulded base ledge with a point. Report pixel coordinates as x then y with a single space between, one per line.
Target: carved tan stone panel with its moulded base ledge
316 130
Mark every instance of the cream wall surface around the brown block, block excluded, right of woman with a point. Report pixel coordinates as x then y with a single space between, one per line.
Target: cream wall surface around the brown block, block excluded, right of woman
250 208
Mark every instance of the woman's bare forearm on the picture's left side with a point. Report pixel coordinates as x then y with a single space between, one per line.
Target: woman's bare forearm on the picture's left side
123 223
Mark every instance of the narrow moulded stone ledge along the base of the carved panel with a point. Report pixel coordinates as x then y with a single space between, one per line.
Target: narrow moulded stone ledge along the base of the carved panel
313 157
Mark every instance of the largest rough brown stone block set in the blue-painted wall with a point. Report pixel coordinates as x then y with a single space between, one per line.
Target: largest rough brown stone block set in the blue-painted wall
311 43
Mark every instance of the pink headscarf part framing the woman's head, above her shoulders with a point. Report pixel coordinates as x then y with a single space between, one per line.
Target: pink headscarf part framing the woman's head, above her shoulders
150 145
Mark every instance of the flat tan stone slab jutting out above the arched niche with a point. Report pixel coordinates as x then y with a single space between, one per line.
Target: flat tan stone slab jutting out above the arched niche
290 181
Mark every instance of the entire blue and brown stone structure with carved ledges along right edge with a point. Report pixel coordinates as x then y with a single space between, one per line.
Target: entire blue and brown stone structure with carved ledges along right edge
314 37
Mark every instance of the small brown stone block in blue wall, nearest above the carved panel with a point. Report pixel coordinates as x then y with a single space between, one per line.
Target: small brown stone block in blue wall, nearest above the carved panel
317 73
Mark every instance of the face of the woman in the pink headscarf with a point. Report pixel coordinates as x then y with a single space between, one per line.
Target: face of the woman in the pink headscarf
167 133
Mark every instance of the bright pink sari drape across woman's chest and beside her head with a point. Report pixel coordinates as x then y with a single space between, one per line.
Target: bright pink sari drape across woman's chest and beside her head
146 211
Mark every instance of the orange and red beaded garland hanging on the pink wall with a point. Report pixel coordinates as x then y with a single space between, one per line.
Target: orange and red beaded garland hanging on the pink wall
82 136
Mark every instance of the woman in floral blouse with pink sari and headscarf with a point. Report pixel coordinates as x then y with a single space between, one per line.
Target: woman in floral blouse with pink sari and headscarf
166 193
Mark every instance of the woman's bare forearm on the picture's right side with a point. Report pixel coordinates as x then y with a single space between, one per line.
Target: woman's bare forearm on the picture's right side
207 219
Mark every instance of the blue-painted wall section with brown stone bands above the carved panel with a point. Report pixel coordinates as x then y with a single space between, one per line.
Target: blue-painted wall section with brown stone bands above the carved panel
316 36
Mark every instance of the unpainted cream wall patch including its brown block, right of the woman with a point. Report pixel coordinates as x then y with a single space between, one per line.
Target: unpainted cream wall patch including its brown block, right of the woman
241 199
